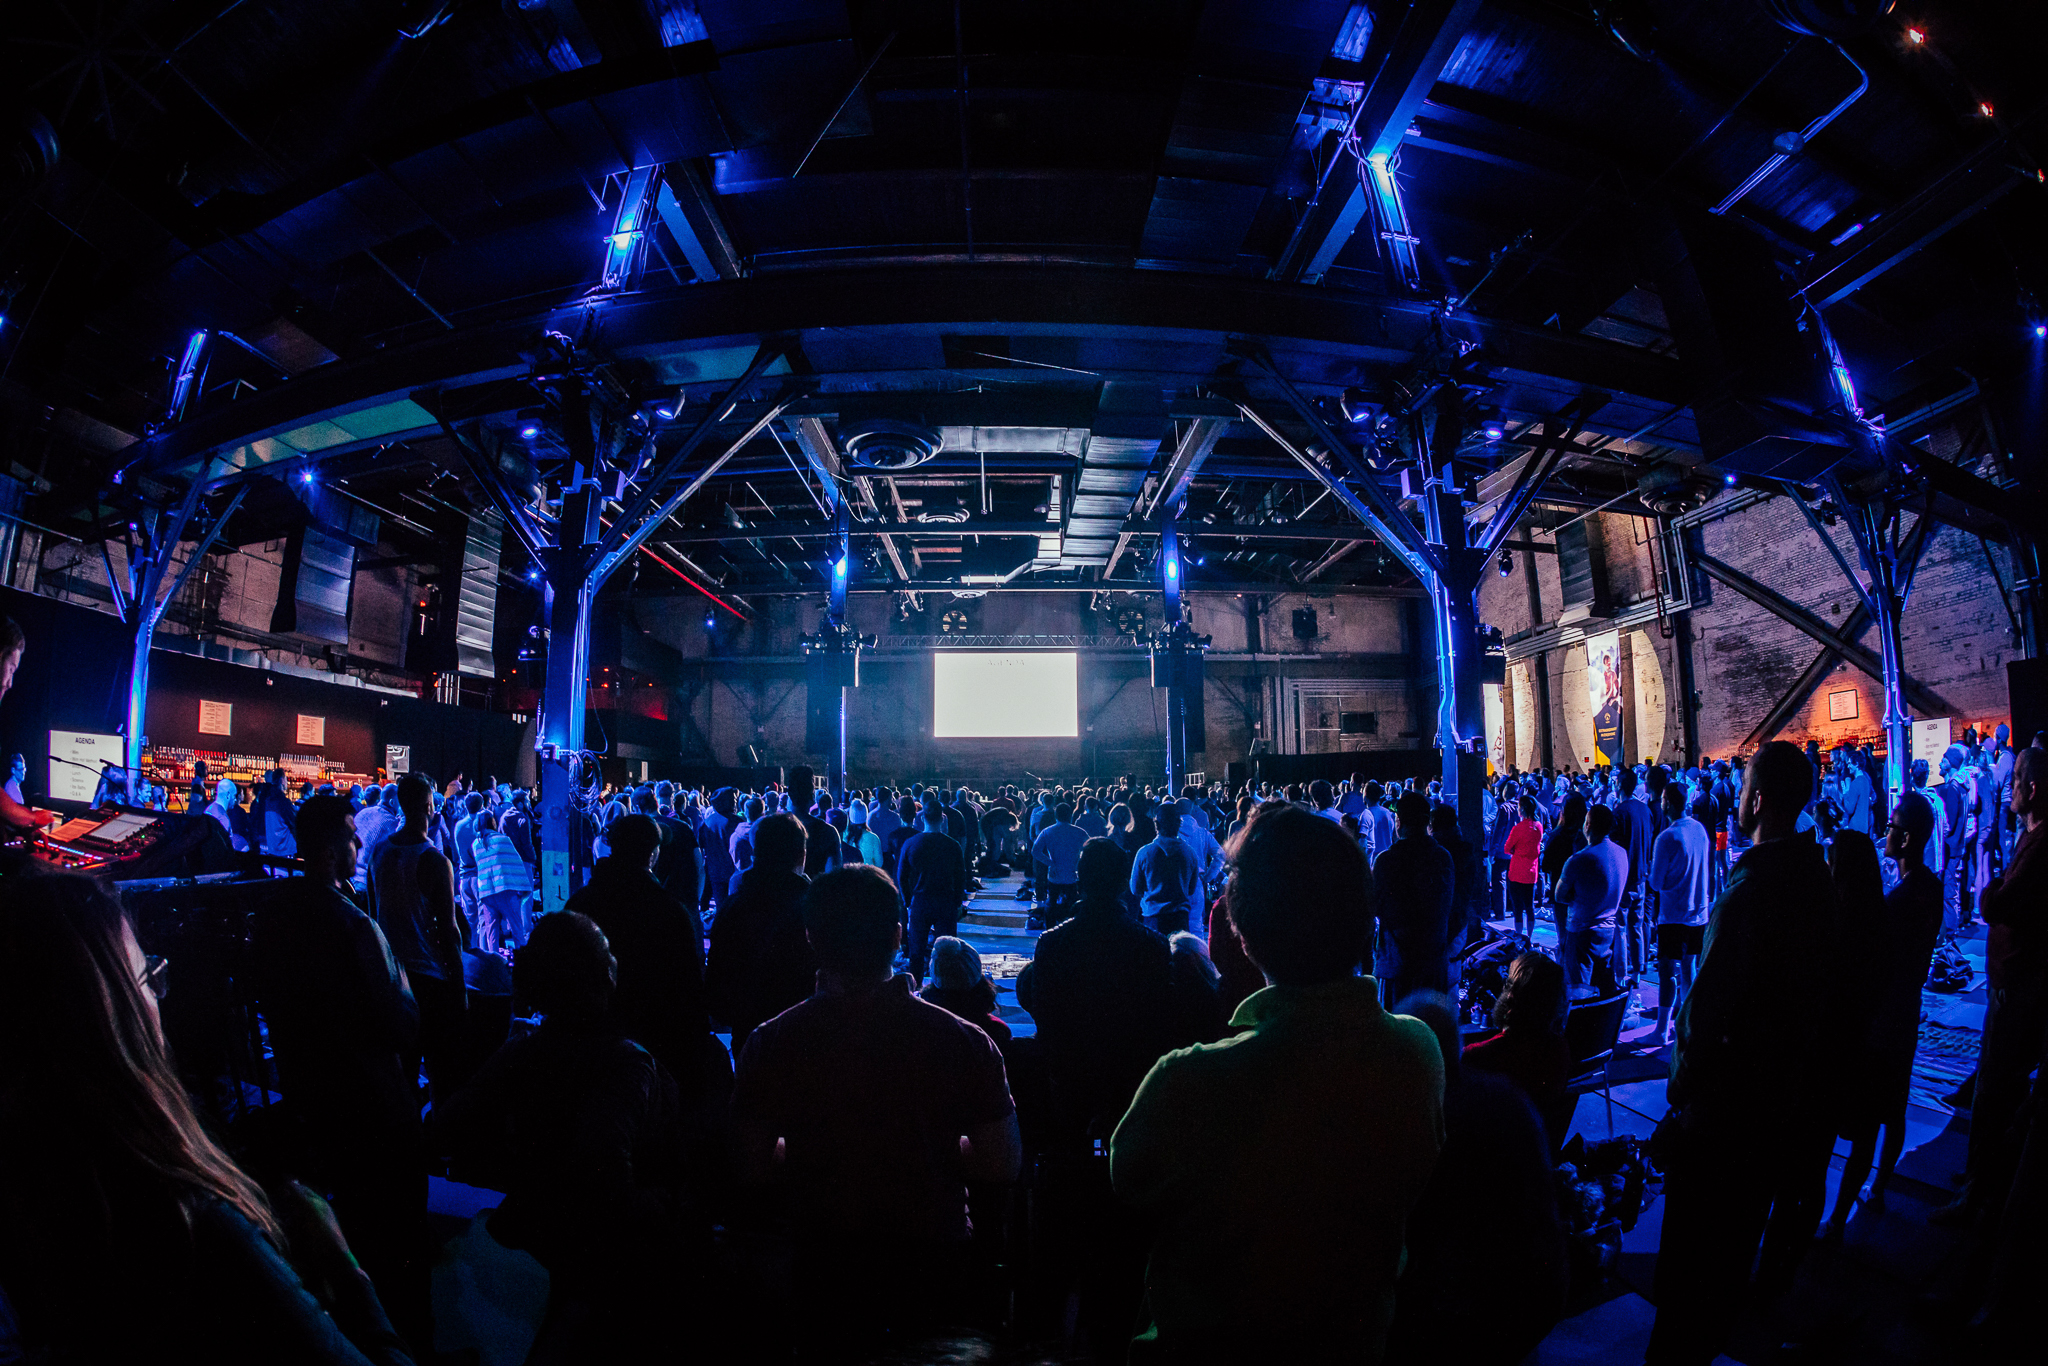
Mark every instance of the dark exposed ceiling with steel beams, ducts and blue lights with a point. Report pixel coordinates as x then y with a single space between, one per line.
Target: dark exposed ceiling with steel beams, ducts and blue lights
1041 245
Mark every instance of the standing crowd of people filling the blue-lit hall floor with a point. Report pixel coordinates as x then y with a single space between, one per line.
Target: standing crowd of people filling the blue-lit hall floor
751 1088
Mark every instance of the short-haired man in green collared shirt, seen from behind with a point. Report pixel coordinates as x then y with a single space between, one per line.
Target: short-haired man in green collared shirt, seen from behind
1281 1164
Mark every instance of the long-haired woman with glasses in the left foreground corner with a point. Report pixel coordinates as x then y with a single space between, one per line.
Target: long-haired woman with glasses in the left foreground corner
126 1232
